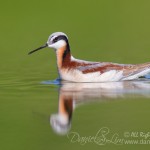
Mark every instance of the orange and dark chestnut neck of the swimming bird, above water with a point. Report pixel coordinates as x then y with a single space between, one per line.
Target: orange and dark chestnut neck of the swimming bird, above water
63 55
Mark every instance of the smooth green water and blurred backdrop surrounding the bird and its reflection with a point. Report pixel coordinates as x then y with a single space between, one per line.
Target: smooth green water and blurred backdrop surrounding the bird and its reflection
110 30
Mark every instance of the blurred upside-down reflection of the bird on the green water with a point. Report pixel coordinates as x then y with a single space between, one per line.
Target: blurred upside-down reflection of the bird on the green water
73 94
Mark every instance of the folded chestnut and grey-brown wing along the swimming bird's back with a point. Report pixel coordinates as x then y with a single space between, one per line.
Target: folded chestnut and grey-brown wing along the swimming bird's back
128 70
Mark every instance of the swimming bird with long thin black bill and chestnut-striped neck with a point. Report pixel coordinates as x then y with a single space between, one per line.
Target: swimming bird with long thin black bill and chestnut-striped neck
76 70
